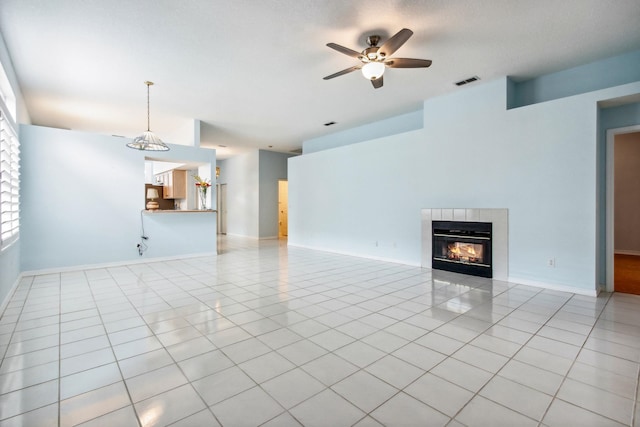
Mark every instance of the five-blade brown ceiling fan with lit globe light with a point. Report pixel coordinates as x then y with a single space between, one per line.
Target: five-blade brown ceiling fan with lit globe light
375 59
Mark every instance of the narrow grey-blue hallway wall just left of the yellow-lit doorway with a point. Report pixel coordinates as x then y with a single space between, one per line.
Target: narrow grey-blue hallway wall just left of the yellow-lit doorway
273 167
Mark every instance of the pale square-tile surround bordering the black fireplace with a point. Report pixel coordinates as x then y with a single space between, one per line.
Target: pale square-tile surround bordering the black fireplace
500 238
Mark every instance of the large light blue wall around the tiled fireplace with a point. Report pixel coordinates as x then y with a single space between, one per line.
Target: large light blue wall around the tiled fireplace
538 161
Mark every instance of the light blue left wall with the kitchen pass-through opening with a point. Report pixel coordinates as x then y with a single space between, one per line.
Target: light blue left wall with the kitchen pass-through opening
82 195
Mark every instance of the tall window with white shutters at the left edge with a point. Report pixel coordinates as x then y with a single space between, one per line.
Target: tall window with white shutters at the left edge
9 179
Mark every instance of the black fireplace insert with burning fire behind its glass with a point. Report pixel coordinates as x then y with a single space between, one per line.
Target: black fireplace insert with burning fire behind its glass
462 247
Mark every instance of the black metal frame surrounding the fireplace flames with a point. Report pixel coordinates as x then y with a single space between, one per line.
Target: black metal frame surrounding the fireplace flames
444 232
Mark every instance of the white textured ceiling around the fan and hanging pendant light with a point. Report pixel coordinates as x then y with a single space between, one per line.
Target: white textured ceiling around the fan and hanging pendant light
252 70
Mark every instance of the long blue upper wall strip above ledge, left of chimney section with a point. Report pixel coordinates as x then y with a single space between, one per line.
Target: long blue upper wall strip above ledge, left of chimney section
391 126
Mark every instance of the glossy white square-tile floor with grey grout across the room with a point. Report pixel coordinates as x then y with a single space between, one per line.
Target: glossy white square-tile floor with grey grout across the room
275 336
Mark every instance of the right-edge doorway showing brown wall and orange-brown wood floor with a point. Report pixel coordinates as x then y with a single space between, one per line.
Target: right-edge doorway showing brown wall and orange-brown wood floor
623 210
